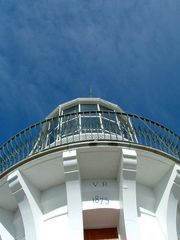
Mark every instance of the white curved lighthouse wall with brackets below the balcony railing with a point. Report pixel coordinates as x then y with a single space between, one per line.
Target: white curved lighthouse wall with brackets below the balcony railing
59 194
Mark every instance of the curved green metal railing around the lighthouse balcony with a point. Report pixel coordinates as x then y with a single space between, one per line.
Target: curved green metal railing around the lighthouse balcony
87 126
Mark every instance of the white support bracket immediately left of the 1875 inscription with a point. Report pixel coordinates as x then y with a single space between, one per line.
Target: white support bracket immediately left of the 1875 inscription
74 200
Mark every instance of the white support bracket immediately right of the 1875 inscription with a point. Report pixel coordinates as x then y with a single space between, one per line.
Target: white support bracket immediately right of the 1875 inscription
129 227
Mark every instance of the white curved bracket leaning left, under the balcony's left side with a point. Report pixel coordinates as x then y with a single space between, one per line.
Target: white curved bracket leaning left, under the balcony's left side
27 197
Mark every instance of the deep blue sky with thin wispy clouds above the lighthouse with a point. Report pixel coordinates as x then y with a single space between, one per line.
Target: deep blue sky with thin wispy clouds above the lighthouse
52 51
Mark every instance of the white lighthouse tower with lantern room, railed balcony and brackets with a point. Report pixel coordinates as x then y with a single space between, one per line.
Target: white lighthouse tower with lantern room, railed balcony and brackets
90 171
